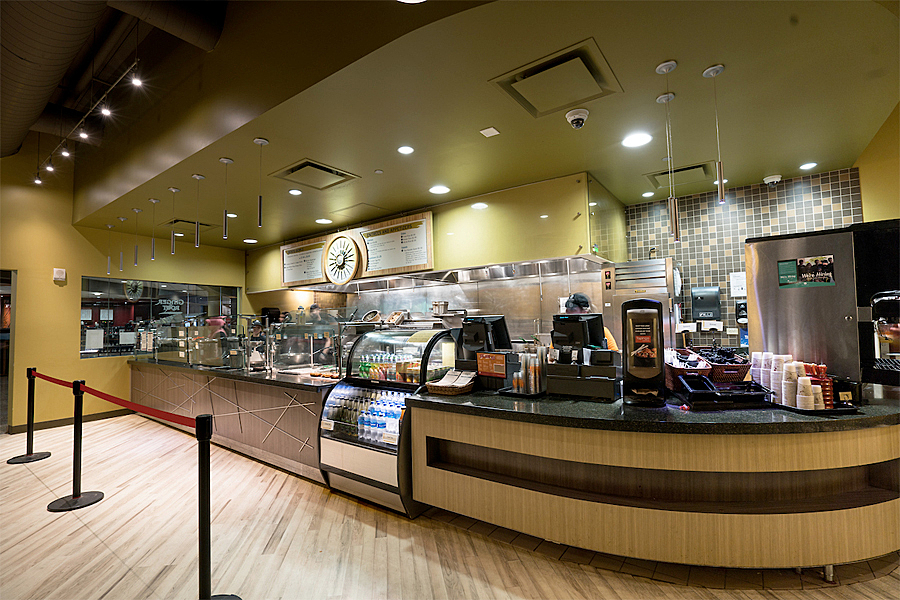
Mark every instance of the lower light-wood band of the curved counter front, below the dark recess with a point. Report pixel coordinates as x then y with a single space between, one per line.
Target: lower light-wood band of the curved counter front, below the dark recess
723 540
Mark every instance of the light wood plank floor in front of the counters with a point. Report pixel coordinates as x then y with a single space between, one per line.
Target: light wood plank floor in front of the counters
275 535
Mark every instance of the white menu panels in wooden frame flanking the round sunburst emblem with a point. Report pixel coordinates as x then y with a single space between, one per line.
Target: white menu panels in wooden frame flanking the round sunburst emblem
402 245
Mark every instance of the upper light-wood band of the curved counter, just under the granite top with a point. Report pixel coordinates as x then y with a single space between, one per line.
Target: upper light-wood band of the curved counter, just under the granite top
679 452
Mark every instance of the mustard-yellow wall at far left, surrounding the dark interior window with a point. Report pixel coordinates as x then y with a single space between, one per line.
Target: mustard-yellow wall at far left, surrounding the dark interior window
36 236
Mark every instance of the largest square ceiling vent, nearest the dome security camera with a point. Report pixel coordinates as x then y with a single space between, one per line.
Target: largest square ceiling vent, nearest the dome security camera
565 79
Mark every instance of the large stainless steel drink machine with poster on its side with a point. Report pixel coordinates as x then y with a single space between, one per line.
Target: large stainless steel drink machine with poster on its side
829 297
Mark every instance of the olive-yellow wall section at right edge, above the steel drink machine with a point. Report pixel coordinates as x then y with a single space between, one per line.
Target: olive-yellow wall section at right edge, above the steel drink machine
879 172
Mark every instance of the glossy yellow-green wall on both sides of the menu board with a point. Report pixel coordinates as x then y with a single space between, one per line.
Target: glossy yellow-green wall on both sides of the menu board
510 229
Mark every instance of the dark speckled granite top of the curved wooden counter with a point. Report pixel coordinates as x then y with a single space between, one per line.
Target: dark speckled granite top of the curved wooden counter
567 412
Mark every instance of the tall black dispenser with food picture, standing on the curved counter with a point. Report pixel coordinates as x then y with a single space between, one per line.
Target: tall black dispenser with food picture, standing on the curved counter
644 378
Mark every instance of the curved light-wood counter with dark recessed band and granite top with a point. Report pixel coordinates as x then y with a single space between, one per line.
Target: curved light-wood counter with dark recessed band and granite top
760 488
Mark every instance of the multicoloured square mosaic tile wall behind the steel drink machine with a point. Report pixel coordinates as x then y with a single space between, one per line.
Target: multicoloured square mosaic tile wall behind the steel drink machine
712 235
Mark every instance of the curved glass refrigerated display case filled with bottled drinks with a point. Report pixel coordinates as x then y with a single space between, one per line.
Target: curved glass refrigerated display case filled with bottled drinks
363 437
